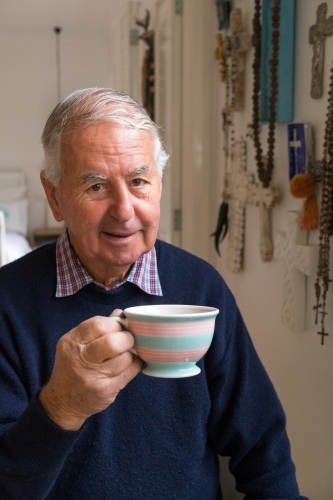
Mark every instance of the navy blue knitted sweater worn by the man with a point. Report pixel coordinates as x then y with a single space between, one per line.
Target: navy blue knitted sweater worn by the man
161 438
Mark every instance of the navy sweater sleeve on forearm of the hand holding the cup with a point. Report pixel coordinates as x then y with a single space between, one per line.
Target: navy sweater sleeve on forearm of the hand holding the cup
32 453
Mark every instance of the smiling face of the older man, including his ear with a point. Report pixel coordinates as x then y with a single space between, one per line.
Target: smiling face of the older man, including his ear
109 196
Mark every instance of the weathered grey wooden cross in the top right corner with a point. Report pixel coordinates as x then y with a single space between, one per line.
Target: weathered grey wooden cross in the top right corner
317 34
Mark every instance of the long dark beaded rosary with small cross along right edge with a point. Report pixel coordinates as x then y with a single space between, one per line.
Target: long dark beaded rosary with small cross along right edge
326 218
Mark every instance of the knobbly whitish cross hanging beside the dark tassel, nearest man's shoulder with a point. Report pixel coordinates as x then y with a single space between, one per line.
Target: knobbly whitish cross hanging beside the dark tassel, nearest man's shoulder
237 185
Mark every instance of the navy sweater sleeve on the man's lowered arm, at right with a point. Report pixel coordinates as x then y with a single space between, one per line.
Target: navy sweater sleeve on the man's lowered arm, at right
247 421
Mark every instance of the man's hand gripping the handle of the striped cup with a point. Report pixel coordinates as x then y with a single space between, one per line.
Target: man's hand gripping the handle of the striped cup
92 365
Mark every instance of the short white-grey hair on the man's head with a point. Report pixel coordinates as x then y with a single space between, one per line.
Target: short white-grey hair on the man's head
86 107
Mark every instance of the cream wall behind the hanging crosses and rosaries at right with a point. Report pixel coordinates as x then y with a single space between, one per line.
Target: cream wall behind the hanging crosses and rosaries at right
300 367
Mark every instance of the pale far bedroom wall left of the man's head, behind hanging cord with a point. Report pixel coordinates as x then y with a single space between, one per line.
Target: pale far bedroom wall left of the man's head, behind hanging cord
28 95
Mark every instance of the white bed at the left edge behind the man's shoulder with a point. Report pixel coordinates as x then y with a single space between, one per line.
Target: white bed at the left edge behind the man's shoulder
13 216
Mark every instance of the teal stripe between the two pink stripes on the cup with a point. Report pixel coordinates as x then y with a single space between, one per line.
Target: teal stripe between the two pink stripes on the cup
173 343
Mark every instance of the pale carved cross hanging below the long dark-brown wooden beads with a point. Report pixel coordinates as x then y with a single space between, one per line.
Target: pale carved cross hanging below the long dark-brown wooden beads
265 199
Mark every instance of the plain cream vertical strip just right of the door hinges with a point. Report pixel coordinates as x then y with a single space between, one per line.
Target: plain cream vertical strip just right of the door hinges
197 126
